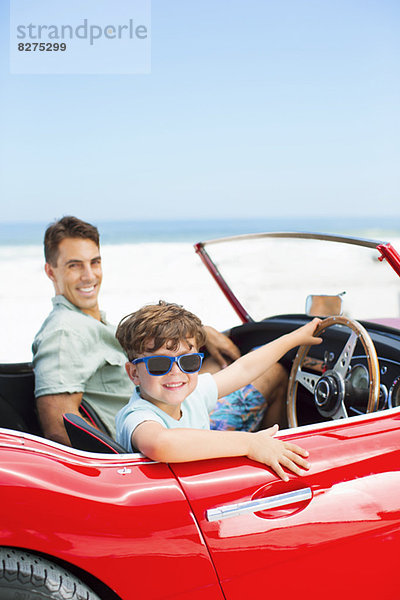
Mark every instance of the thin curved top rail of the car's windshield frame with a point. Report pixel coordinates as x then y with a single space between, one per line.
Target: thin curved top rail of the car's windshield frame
327 237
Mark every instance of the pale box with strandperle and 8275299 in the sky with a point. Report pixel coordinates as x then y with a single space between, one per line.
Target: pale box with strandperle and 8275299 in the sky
75 37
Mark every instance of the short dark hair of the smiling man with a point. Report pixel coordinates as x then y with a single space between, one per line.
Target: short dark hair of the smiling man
67 227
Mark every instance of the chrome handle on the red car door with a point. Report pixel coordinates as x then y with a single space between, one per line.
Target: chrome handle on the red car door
252 506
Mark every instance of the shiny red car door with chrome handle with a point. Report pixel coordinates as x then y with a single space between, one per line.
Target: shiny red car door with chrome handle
335 529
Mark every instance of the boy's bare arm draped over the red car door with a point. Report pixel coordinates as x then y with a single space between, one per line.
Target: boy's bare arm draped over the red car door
184 445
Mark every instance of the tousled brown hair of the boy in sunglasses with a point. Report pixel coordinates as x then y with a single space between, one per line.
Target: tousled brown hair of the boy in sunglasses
163 323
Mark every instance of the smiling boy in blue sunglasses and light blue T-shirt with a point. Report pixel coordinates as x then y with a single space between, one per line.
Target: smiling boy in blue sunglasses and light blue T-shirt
167 417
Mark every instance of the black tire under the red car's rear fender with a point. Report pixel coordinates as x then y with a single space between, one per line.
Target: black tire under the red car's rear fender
24 575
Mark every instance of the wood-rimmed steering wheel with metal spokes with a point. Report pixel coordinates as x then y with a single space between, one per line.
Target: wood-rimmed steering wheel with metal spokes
328 389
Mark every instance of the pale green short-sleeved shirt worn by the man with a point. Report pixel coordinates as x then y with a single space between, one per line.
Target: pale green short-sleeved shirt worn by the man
73 352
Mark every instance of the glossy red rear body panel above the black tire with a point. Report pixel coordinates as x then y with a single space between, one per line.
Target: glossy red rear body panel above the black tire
127 522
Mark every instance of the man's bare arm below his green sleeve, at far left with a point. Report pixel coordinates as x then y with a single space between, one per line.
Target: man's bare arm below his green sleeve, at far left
51 409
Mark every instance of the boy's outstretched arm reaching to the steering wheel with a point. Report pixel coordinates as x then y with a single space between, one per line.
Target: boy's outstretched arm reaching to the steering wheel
249 367
